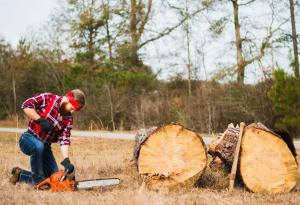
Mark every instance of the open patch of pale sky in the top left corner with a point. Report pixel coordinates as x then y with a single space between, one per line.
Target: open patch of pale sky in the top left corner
17 17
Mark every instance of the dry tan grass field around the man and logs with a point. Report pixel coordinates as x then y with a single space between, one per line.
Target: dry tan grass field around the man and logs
95 158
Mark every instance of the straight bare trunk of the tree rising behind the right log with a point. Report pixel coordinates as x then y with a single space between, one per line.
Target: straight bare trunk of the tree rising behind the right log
238 43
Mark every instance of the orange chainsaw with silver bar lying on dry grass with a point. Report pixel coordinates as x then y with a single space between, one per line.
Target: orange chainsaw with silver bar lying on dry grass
60 182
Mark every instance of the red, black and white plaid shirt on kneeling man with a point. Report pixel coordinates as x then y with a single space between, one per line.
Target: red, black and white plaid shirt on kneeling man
62 124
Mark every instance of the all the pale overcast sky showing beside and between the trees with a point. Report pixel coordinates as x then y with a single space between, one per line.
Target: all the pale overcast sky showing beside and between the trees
19 18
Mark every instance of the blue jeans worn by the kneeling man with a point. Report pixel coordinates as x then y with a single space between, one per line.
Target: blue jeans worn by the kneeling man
42 161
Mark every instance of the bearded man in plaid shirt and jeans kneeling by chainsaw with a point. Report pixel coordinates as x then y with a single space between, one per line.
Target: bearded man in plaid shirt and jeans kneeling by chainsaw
50 121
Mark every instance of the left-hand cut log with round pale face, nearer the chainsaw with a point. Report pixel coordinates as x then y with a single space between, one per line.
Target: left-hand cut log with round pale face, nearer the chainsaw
170 155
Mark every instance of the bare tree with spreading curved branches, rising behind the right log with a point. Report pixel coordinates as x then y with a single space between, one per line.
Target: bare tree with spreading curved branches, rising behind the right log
249 49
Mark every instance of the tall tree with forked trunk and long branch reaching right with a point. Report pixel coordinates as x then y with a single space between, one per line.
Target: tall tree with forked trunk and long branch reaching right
140 32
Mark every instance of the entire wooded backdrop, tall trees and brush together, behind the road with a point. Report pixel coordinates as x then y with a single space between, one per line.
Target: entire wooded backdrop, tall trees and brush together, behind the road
99 47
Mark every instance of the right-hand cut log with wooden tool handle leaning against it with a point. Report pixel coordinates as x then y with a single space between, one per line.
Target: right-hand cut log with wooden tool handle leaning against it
266 162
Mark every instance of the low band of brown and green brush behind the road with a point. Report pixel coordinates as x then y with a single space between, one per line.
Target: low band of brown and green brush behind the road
126 100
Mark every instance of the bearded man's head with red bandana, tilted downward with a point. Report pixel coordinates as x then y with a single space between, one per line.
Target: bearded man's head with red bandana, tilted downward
73 101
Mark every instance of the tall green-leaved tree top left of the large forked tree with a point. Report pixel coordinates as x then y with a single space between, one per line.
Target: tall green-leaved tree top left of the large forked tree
85 19
